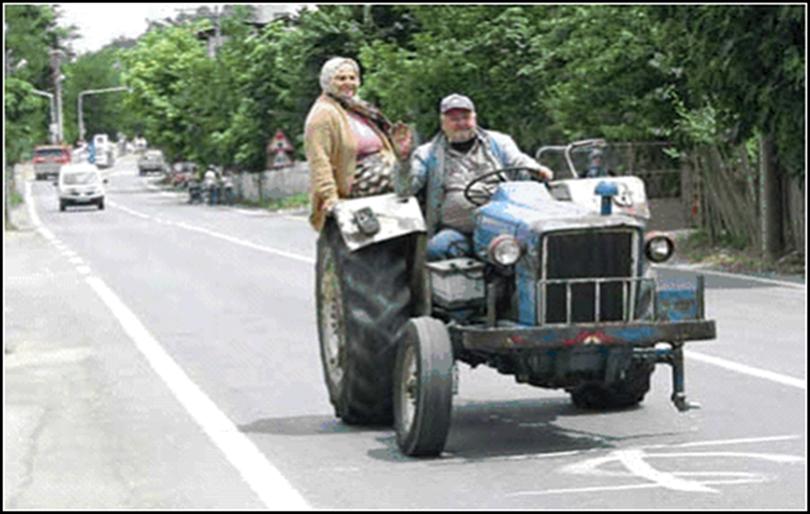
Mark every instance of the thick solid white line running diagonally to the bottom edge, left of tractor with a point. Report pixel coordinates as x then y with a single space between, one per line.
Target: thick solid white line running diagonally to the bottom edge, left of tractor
265 479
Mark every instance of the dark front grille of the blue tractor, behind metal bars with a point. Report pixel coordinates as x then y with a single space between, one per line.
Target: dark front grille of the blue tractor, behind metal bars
588 276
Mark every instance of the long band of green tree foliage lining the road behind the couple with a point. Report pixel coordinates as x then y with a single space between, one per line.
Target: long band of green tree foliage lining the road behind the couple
544 73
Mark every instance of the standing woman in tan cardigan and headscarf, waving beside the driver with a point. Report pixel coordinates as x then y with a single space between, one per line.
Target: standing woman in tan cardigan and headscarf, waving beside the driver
352 149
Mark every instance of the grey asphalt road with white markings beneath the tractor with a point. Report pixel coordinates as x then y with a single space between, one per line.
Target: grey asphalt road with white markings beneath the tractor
160 355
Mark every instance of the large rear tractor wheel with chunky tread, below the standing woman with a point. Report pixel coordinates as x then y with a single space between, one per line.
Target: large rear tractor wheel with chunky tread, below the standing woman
363 301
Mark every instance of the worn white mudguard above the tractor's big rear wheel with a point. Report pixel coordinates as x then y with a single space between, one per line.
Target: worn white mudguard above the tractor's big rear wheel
370 220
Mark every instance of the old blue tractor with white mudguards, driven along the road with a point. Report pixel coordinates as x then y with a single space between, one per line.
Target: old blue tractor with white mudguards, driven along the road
560 293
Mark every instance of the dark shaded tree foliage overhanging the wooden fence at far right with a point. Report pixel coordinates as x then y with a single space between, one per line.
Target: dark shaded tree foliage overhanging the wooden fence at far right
745 65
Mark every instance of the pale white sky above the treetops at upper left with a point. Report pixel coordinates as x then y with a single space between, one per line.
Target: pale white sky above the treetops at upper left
101 23
